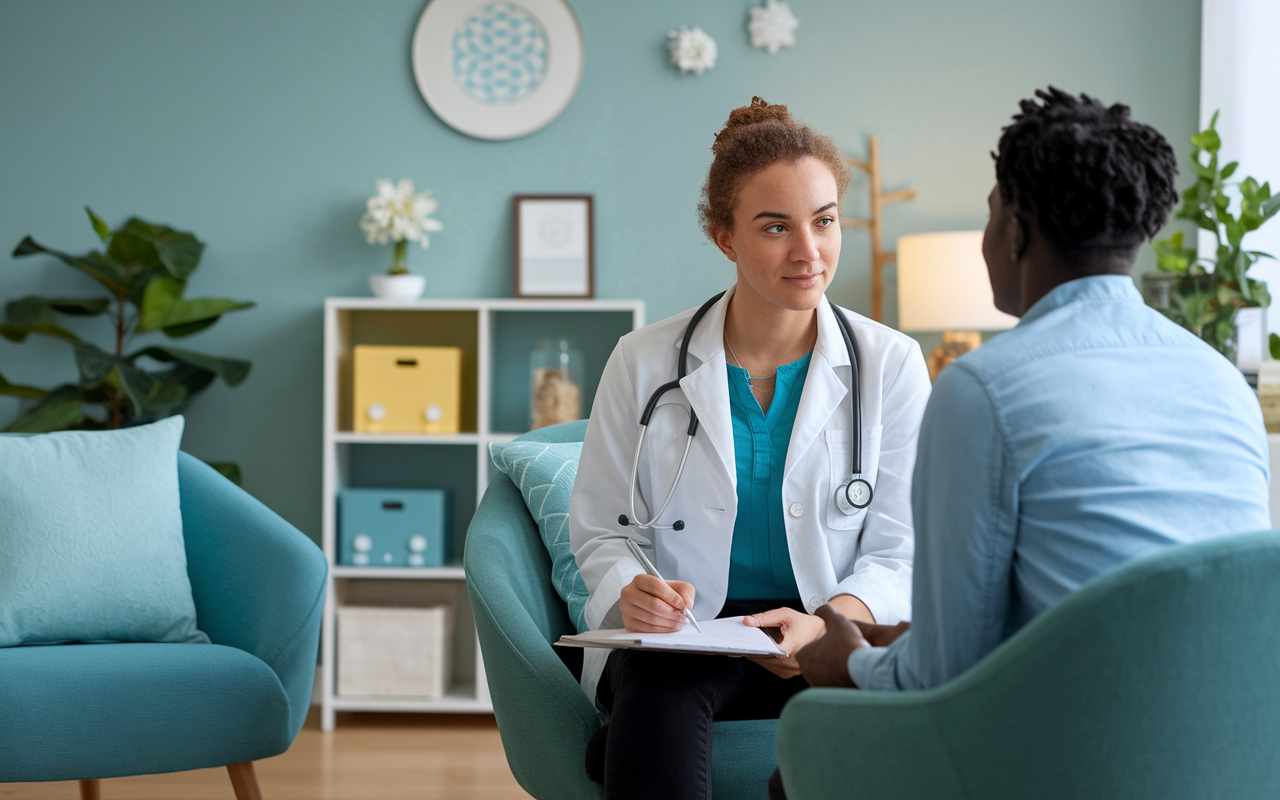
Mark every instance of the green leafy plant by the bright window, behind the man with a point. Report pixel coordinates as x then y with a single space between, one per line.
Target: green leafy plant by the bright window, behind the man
1208 294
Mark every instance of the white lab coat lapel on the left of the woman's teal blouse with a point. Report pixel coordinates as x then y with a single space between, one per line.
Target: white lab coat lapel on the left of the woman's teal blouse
707 385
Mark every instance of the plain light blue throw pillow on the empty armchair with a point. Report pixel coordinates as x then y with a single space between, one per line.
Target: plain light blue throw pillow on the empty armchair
92 538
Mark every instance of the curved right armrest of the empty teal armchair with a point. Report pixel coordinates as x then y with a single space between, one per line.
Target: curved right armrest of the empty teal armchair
259 584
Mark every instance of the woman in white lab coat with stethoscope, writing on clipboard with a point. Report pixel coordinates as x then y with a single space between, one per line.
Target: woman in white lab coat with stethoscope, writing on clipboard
762 533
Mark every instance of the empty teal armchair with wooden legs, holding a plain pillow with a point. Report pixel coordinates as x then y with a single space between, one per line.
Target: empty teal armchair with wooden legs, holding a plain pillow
98 711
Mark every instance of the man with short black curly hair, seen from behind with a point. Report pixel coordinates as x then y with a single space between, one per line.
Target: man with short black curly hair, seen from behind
1094 433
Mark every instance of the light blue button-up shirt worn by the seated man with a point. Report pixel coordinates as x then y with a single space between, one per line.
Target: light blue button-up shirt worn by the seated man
1094 433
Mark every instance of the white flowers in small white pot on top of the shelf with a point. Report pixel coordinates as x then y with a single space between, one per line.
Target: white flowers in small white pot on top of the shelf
396 214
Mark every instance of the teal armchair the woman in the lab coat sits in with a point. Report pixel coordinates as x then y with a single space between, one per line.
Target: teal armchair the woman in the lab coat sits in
543 716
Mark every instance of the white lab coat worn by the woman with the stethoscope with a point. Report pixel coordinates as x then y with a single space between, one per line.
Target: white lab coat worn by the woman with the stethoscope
822 540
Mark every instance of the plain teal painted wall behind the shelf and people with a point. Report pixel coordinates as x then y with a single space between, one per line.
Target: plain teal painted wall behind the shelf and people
263 126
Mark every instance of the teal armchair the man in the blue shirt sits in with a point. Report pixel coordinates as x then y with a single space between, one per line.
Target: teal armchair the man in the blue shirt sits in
1158 680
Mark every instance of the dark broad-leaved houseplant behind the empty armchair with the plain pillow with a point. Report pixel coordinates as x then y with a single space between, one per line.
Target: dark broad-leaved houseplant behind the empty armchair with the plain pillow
144 268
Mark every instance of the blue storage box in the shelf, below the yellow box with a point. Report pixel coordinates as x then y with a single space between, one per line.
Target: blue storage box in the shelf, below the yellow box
395 528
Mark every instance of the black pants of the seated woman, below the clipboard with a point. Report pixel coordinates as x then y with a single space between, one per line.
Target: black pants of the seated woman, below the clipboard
659 743
